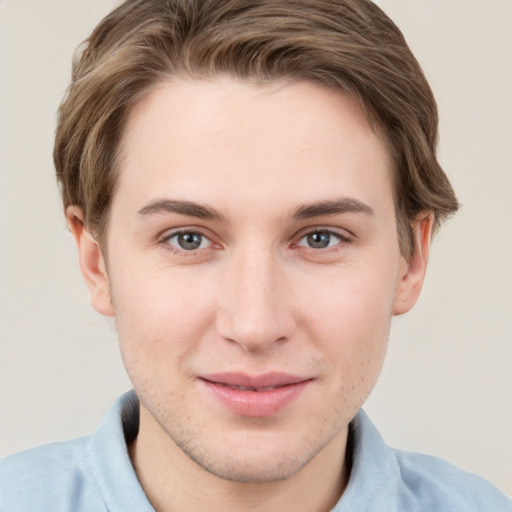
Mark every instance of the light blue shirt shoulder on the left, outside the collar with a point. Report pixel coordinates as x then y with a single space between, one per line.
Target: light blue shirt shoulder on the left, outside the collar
55 477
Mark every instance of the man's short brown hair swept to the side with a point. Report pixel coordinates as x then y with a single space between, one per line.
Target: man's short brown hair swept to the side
350 45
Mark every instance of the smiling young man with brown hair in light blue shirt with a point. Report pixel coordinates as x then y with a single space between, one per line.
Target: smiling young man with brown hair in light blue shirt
252 187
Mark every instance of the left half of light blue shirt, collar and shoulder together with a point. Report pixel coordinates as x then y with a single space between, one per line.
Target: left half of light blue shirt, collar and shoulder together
87 474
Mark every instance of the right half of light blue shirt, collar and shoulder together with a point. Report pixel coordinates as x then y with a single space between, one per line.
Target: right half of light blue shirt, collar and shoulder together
389 480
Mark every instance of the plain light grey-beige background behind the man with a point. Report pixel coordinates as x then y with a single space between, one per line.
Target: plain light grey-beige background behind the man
446 386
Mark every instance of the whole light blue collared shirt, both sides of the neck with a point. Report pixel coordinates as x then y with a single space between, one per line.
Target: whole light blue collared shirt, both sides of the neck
94 474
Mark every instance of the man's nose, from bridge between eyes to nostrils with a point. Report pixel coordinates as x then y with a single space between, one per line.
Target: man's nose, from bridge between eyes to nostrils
255 304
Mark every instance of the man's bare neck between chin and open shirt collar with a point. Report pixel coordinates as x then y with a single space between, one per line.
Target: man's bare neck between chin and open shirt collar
174 482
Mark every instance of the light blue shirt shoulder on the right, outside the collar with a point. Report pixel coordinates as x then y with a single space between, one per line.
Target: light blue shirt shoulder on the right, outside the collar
426 479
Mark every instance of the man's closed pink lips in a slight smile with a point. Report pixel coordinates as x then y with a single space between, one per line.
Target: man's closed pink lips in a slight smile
255 395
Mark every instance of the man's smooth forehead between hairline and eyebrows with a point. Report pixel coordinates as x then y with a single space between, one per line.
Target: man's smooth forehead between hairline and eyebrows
203 139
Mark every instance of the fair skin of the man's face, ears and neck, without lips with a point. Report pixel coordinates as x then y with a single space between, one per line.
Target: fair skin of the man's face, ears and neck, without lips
256 296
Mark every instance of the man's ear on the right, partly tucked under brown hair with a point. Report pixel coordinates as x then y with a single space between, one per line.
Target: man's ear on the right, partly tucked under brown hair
412 272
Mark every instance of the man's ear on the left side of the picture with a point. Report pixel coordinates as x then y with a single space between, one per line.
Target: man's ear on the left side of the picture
92 263
